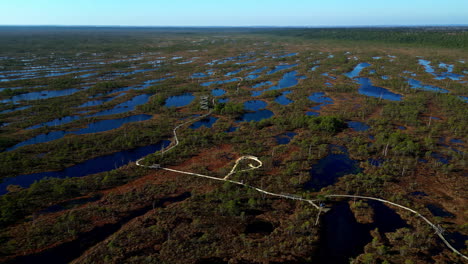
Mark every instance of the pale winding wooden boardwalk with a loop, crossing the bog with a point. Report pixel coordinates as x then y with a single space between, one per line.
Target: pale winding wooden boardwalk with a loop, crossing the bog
257 164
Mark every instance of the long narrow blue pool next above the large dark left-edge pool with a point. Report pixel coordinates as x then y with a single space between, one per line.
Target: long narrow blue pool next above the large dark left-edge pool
100 126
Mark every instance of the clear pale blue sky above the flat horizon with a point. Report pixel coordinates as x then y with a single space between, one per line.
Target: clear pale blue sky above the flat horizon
233 13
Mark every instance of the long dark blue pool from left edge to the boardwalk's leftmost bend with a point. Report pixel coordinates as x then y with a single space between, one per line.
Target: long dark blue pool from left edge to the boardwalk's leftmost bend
92 166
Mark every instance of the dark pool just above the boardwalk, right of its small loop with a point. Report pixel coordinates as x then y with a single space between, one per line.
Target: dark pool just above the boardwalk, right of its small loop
327 171
